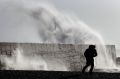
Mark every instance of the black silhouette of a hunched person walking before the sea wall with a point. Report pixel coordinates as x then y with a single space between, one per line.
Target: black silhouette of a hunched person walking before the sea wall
89 54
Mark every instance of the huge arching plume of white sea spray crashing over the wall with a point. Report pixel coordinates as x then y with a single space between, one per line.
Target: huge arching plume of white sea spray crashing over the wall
45 24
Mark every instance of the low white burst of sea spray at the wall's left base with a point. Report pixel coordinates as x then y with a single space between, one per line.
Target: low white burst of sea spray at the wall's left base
20 62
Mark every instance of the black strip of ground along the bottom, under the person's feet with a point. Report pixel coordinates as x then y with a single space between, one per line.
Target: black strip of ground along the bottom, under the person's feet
22 74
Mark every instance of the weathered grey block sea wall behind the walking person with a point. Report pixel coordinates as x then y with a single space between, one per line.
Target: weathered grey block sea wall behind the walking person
71 55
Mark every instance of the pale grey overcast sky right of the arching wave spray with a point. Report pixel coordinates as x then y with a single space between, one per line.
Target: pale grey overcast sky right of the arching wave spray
102 15
